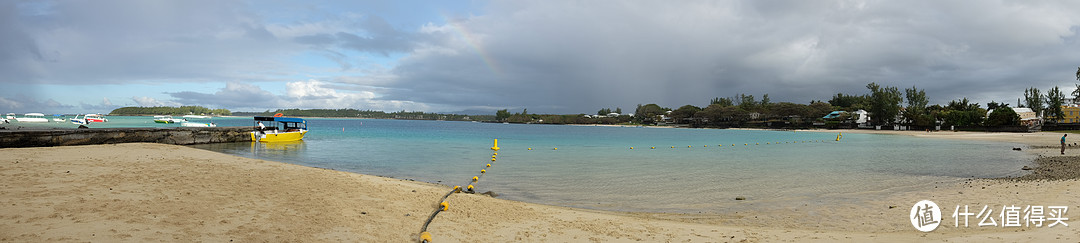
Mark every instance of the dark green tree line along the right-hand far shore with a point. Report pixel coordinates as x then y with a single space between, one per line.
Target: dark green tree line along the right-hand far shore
886 106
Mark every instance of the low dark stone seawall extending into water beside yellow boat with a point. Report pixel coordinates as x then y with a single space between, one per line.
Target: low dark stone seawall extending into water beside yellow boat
16 139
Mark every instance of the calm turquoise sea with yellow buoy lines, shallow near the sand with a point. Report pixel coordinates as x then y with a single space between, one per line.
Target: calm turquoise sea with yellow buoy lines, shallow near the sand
632 169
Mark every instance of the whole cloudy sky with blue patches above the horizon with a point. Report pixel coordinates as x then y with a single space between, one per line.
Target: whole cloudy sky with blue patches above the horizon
550 57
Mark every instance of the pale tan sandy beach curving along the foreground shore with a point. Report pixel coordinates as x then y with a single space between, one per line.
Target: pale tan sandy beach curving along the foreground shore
143 193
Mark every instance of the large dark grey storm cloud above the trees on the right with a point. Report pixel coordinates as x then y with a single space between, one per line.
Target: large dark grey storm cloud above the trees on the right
582 57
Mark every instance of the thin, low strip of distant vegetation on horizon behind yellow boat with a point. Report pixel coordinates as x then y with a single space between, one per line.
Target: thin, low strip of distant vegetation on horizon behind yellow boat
369 114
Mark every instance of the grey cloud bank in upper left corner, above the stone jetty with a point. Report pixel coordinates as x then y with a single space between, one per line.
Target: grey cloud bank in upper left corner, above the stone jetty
117 43
